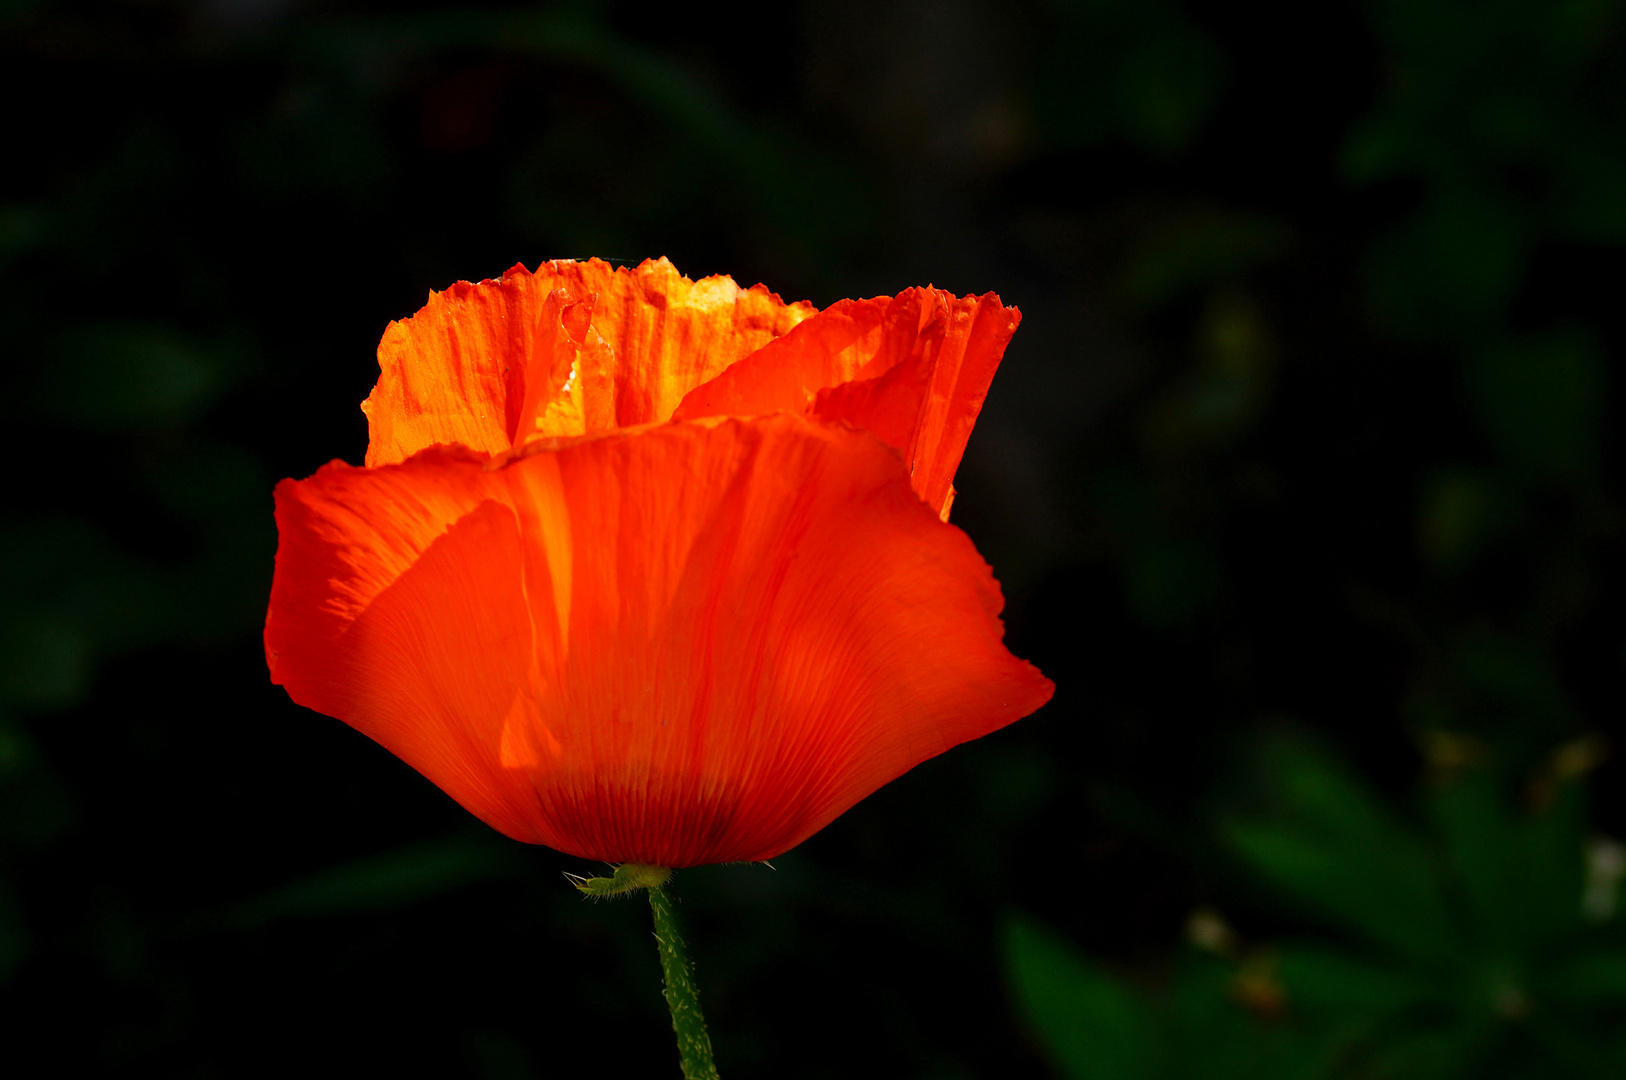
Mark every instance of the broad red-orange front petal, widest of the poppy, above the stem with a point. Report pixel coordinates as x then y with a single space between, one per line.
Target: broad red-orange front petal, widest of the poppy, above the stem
697 643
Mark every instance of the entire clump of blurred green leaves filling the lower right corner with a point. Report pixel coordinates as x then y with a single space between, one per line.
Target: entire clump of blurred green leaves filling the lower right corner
1482 944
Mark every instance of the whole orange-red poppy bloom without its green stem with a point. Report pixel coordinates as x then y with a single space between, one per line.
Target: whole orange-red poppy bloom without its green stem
653 570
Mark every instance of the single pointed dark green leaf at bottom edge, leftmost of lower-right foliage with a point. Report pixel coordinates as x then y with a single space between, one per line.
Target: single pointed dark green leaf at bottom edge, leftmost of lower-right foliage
1090 1024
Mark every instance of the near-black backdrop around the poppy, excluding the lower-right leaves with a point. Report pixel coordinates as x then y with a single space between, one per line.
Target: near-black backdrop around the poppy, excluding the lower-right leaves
1308 435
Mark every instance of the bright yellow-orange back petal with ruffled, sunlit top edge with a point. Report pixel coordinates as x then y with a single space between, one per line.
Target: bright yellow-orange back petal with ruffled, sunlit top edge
456 373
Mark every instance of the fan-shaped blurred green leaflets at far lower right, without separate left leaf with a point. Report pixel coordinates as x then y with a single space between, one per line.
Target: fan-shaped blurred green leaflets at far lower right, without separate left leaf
1516 983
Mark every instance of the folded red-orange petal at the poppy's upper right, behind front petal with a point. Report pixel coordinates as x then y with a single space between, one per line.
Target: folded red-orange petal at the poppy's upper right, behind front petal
915 370
